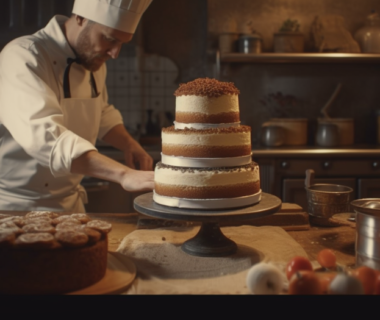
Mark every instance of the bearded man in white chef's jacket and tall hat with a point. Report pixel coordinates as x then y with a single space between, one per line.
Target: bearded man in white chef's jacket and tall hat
54 106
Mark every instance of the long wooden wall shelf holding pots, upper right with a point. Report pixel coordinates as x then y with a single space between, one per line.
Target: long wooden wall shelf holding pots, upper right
300 58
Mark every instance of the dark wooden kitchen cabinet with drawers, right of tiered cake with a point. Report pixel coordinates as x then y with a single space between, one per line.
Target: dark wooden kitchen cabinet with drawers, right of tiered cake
283 171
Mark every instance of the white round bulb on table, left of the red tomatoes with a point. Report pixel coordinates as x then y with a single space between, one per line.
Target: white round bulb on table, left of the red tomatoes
265 278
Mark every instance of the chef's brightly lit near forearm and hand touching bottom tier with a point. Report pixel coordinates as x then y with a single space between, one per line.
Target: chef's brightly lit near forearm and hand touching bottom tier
96 165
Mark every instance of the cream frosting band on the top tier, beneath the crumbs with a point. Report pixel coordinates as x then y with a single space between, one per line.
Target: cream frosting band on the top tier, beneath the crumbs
208 105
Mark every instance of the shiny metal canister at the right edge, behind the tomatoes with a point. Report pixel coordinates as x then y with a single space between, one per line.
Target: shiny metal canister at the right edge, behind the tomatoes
367 242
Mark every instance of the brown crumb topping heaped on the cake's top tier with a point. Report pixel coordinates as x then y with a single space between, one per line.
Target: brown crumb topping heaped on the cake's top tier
206 87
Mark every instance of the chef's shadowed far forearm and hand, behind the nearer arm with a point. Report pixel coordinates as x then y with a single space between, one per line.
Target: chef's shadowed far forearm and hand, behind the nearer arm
119 138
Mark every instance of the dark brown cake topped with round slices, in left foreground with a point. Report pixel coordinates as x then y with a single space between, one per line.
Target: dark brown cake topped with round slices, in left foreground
49 253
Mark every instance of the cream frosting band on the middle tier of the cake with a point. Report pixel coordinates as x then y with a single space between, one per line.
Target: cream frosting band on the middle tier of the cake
196 139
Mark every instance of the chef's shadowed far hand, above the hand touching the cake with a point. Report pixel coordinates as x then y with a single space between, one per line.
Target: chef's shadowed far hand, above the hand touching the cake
135 154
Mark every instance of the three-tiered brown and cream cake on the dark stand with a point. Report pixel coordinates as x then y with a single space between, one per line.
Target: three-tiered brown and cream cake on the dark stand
206 158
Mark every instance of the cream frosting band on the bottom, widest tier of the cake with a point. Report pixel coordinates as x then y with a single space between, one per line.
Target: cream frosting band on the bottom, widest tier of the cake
199 178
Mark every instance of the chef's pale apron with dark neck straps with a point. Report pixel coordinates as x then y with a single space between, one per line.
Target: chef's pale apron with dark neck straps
42 191
